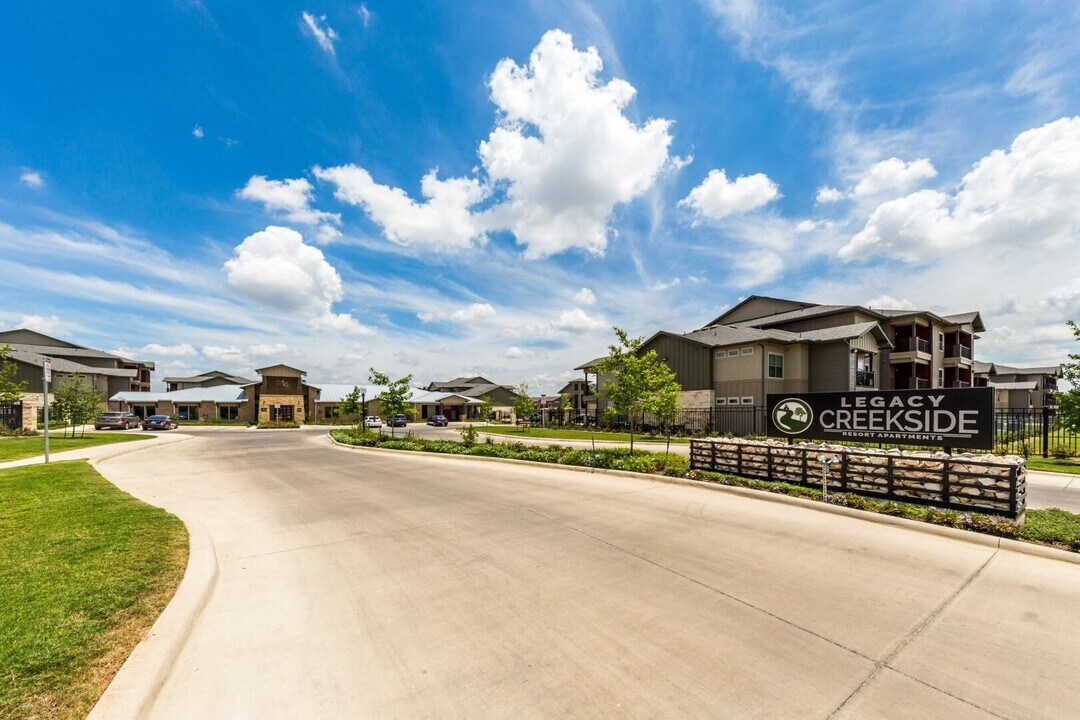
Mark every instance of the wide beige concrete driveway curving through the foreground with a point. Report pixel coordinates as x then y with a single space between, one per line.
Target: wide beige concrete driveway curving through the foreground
362 586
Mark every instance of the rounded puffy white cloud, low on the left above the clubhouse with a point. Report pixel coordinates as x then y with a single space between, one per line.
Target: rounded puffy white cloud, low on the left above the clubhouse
276 268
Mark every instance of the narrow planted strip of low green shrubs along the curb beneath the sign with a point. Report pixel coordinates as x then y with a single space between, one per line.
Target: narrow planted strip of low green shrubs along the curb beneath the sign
1054 527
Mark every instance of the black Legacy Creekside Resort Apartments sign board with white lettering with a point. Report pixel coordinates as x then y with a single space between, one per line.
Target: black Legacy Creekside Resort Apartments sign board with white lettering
946 418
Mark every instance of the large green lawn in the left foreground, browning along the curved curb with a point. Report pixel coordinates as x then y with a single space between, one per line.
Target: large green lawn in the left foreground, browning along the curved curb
85 572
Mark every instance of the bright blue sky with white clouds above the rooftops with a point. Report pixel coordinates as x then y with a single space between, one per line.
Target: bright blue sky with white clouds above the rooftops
474 187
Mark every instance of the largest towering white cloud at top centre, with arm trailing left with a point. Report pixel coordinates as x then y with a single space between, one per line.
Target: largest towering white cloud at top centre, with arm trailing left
562 158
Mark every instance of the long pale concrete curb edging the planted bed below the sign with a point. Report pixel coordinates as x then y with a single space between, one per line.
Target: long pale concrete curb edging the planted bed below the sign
954 534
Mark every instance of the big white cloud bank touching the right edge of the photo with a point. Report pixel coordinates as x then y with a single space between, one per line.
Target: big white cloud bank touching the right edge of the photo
1024 194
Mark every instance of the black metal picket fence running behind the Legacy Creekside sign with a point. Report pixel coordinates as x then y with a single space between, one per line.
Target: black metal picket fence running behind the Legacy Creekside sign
1023 432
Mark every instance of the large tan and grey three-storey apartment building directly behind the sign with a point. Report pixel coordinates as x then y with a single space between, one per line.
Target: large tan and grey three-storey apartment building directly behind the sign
765 346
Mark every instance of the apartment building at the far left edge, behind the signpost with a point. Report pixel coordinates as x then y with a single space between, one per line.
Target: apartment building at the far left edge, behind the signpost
106 373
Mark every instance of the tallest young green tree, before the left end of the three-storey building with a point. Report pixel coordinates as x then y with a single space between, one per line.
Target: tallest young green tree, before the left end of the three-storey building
641 382
